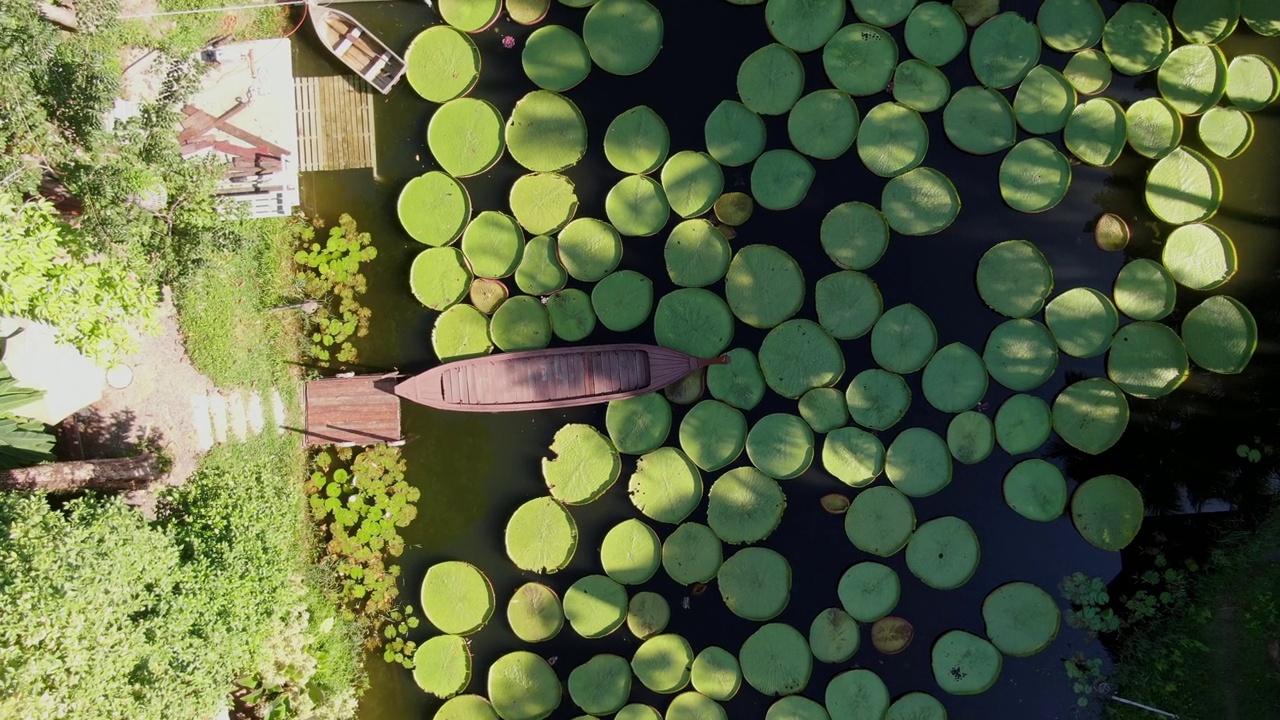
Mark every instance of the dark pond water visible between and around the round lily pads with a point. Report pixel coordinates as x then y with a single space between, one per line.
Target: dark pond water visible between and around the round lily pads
477 470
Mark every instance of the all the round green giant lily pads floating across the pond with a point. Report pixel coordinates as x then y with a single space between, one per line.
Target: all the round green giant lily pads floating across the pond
719 453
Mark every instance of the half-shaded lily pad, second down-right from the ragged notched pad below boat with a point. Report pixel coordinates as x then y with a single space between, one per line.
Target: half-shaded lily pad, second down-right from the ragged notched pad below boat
746 507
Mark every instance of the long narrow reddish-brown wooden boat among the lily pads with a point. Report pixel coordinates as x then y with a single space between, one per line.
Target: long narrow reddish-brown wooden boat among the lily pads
542 380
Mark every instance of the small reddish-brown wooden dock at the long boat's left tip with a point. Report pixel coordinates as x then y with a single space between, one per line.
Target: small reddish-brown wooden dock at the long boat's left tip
362 411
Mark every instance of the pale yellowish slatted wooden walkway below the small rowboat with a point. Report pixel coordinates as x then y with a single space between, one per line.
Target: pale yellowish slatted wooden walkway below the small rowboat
336 124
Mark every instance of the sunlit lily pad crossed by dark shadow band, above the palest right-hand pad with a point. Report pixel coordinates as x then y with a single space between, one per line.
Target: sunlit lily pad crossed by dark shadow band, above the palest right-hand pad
1185 188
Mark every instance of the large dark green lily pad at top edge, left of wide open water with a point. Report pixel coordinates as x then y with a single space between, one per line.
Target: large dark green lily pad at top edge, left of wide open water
623 37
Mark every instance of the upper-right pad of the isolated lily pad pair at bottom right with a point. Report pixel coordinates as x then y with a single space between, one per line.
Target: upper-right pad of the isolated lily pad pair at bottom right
1022 619
